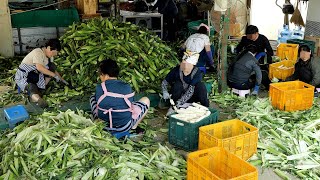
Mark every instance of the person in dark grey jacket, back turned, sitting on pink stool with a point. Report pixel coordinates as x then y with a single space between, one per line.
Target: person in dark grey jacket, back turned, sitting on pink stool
245 73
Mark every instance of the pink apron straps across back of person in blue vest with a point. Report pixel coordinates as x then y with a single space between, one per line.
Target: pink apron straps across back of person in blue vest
117 95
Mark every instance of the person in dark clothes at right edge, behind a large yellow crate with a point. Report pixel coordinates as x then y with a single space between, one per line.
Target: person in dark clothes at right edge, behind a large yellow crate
307 69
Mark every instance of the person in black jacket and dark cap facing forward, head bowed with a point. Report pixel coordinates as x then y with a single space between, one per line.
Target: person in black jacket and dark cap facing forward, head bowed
260 41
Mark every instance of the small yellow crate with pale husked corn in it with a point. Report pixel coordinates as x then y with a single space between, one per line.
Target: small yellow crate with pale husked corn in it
281 70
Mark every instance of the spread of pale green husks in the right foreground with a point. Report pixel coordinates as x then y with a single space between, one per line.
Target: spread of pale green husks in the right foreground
288 141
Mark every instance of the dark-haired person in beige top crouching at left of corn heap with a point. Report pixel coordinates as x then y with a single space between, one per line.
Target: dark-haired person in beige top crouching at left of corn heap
36 70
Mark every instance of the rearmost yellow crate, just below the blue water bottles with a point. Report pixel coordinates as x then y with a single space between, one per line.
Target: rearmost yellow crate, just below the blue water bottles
288 51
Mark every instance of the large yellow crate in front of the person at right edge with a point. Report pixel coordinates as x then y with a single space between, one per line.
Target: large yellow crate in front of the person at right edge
291 96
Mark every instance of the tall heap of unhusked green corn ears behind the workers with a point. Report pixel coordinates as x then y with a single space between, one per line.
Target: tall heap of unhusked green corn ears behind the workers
143 58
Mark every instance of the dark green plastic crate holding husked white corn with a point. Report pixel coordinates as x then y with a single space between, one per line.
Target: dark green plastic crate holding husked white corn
185 135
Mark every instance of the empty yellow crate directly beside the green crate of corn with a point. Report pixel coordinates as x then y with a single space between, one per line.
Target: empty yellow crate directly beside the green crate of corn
236 136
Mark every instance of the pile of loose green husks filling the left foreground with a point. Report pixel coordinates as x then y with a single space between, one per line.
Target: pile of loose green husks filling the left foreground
67 145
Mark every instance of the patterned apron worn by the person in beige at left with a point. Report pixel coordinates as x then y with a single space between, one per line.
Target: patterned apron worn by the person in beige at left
27 74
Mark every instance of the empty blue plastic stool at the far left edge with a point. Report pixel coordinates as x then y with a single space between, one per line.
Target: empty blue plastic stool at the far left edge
15 115
